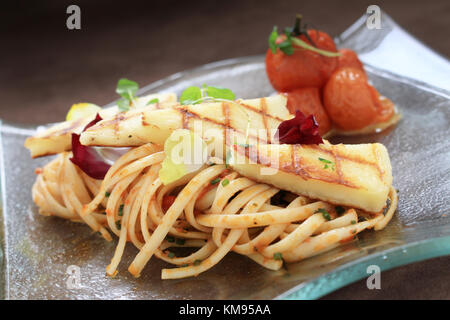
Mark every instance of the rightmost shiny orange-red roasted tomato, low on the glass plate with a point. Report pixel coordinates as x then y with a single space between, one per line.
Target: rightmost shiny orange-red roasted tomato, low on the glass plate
351 102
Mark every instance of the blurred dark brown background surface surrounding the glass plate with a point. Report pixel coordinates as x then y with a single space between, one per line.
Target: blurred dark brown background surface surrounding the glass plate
45 68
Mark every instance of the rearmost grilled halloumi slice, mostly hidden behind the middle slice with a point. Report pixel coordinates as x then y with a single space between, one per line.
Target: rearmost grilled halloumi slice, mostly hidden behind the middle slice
57 138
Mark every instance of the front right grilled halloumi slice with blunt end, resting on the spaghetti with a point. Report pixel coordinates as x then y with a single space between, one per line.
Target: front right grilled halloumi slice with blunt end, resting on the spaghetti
359 176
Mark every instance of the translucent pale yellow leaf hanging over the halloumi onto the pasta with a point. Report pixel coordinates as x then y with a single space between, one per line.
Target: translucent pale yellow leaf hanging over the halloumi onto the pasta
186 152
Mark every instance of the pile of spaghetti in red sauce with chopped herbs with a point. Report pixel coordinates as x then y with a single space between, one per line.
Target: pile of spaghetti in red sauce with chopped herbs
214 210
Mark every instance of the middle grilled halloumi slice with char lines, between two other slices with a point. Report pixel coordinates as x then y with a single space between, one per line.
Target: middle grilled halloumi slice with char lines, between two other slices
212 120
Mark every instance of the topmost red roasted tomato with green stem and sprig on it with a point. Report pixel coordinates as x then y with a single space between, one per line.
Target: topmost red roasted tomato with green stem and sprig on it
304 68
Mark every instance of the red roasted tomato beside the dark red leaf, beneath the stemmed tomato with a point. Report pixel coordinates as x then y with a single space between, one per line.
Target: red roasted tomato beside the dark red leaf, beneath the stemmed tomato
307 100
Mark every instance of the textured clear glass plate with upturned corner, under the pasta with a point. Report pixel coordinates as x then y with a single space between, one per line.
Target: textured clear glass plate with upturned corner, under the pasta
37 250
